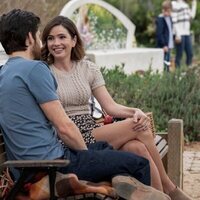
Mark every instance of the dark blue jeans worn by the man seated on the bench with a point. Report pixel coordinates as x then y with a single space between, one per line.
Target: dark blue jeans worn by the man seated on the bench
101 165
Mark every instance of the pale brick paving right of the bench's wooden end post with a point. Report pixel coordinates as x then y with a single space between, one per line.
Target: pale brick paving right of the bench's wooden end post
191 173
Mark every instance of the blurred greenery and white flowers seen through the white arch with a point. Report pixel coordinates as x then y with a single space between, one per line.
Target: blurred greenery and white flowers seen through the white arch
107 29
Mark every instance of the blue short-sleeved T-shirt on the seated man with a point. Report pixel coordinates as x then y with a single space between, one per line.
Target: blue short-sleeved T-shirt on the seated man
28 134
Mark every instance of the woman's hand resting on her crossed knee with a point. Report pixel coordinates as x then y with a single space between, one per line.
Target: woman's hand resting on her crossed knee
141 120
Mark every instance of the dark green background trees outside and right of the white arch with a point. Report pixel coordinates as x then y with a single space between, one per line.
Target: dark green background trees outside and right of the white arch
143 14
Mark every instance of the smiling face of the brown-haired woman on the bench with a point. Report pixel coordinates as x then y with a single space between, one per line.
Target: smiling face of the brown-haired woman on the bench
60 42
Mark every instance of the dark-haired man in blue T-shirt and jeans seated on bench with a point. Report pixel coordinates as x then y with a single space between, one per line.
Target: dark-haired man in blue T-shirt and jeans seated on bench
29 108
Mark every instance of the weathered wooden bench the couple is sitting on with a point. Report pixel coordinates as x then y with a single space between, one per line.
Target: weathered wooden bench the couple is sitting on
169 144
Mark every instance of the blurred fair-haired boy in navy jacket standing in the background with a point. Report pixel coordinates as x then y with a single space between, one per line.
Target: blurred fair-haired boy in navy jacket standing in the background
164 33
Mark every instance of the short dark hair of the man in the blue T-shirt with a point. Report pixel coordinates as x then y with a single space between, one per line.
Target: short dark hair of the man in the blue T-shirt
14 28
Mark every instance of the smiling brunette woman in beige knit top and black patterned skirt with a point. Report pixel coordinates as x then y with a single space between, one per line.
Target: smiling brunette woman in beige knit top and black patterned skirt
78 79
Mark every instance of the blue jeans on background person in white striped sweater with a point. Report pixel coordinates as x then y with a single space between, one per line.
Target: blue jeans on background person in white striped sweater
185 45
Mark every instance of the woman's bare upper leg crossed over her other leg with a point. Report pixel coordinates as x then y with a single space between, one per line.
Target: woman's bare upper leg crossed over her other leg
119 133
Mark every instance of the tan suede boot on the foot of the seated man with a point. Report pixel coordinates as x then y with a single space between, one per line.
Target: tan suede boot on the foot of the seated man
130 188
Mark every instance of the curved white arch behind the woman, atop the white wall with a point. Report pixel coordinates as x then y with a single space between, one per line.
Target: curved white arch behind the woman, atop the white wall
72 5
